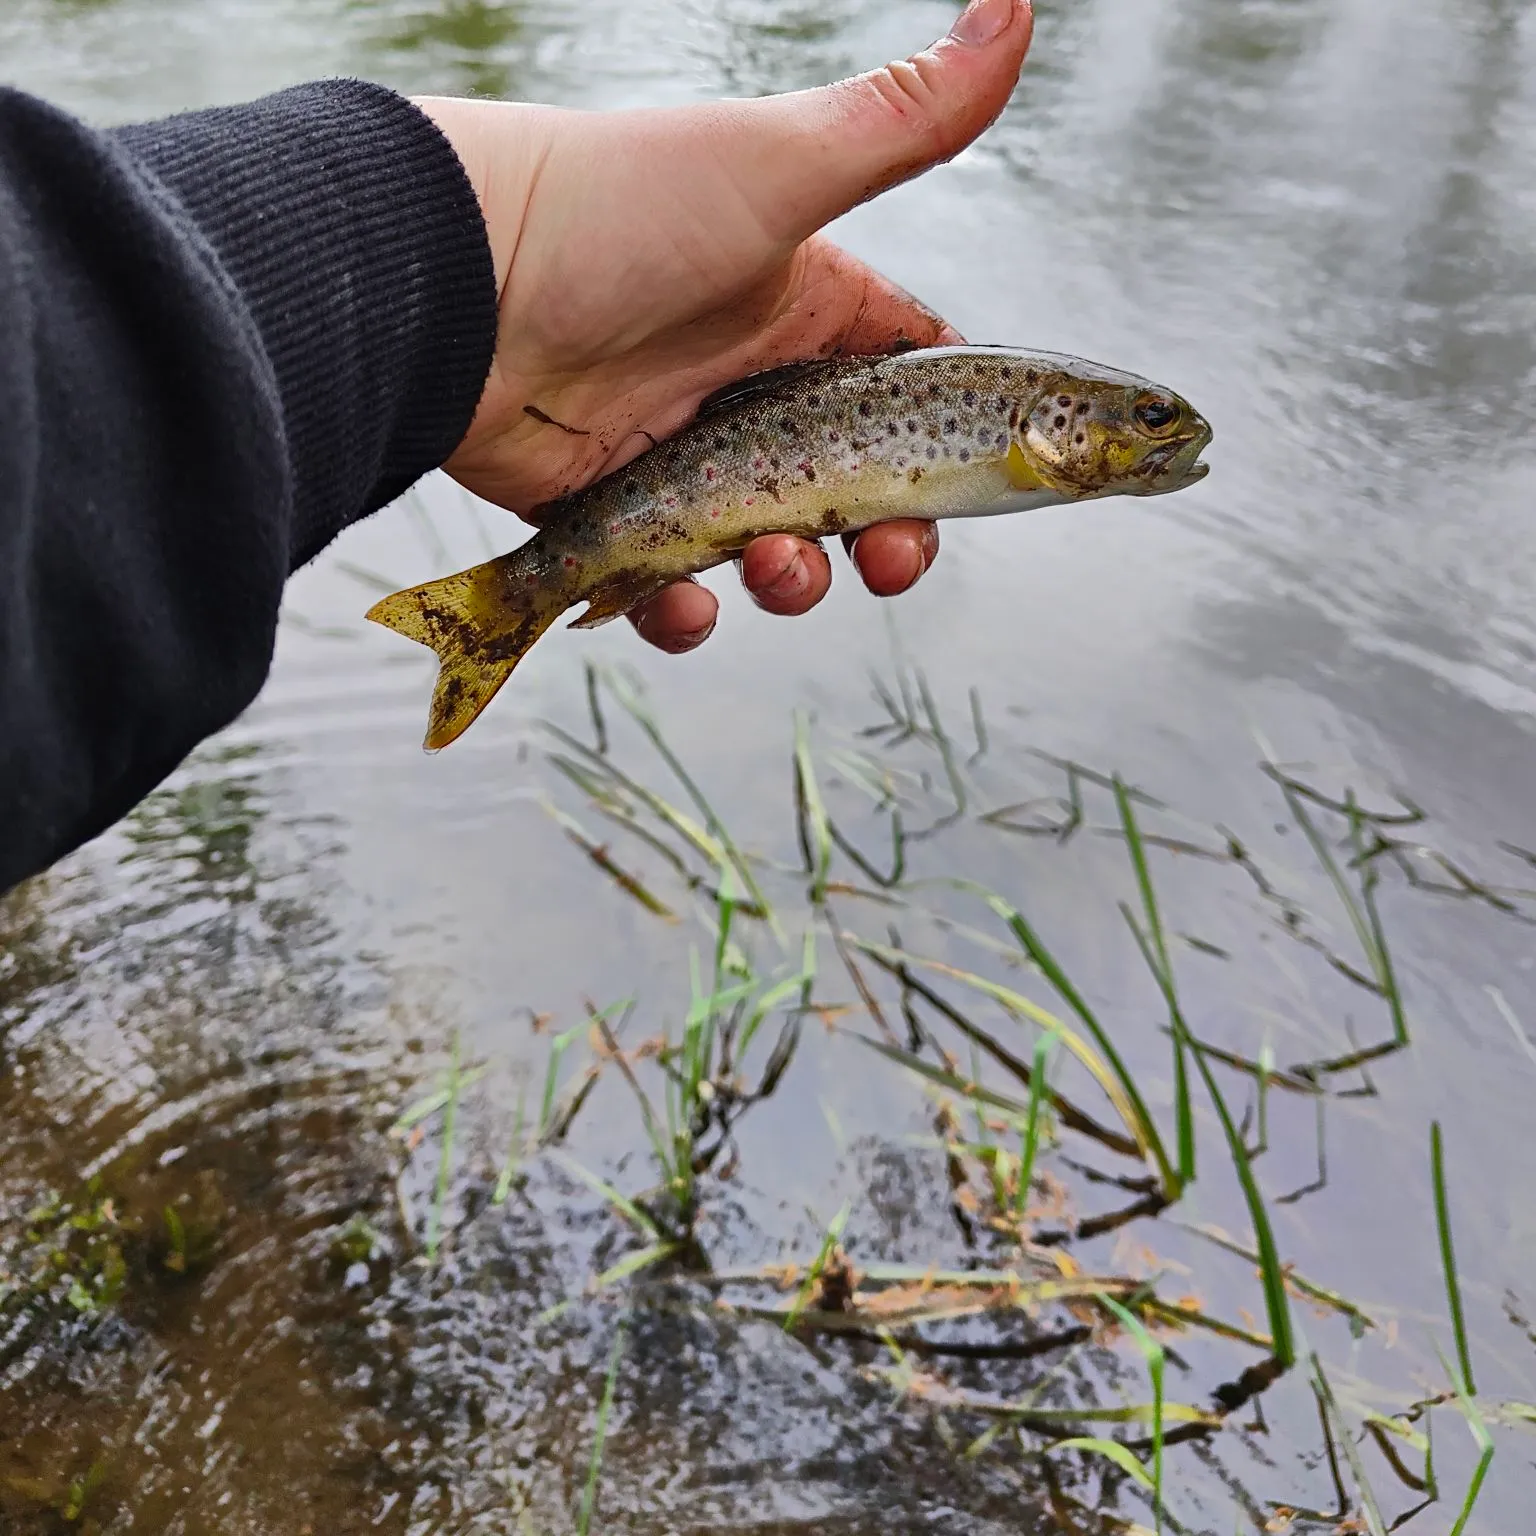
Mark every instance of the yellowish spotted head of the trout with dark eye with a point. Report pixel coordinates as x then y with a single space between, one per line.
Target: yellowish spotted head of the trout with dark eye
1096 432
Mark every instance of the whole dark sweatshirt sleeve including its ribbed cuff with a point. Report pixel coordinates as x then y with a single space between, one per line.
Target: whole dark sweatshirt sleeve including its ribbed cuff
223 339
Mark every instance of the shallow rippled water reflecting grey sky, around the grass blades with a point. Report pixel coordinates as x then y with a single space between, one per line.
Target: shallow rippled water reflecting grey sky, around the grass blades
1317 220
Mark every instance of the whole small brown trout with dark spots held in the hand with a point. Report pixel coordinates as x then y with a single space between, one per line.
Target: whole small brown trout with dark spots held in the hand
813 449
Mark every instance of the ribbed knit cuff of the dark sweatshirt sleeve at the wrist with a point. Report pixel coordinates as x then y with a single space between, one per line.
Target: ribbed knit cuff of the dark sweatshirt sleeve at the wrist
353 234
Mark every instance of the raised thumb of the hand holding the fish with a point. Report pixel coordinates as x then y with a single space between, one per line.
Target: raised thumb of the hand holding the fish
812 156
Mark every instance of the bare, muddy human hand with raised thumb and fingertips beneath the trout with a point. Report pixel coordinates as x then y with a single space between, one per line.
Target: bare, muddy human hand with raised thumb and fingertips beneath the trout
644 259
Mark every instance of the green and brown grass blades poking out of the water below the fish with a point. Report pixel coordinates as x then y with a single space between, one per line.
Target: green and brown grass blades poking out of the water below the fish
1022 1293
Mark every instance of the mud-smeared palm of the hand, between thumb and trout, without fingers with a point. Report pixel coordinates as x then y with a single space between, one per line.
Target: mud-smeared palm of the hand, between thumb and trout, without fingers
641 282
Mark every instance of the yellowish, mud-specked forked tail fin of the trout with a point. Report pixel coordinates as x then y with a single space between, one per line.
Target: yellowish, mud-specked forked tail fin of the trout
482 623
